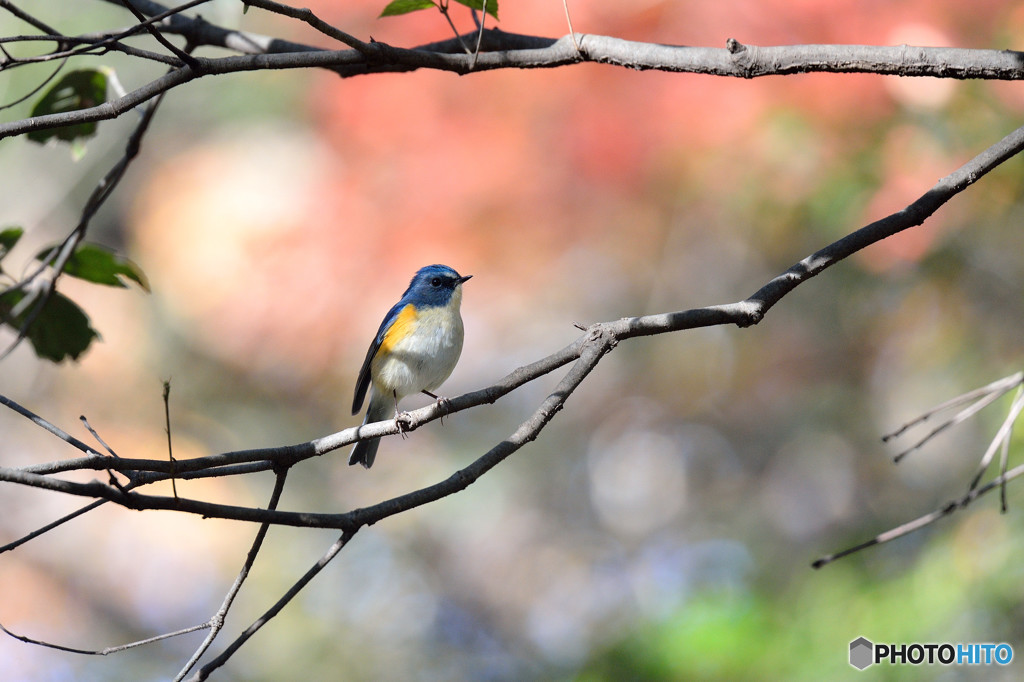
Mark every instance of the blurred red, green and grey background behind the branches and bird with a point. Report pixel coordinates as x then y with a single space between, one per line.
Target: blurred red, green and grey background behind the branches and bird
664 526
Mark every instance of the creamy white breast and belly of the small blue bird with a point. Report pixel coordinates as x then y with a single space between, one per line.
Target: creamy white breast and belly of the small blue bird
425 358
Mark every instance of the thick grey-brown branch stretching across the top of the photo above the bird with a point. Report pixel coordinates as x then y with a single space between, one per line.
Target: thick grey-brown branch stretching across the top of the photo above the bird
507 53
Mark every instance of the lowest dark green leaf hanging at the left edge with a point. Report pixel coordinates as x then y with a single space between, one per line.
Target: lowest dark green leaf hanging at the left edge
61 330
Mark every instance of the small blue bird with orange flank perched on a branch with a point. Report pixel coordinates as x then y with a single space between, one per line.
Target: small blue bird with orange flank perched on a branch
415 351
